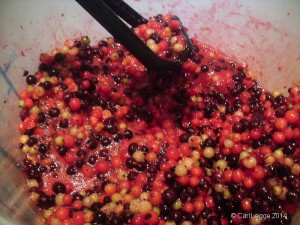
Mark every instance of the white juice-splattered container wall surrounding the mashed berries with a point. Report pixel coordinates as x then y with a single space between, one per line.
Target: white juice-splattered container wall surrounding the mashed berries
265 34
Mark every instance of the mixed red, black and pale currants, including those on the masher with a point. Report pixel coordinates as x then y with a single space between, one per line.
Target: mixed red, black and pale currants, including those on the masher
106 142
